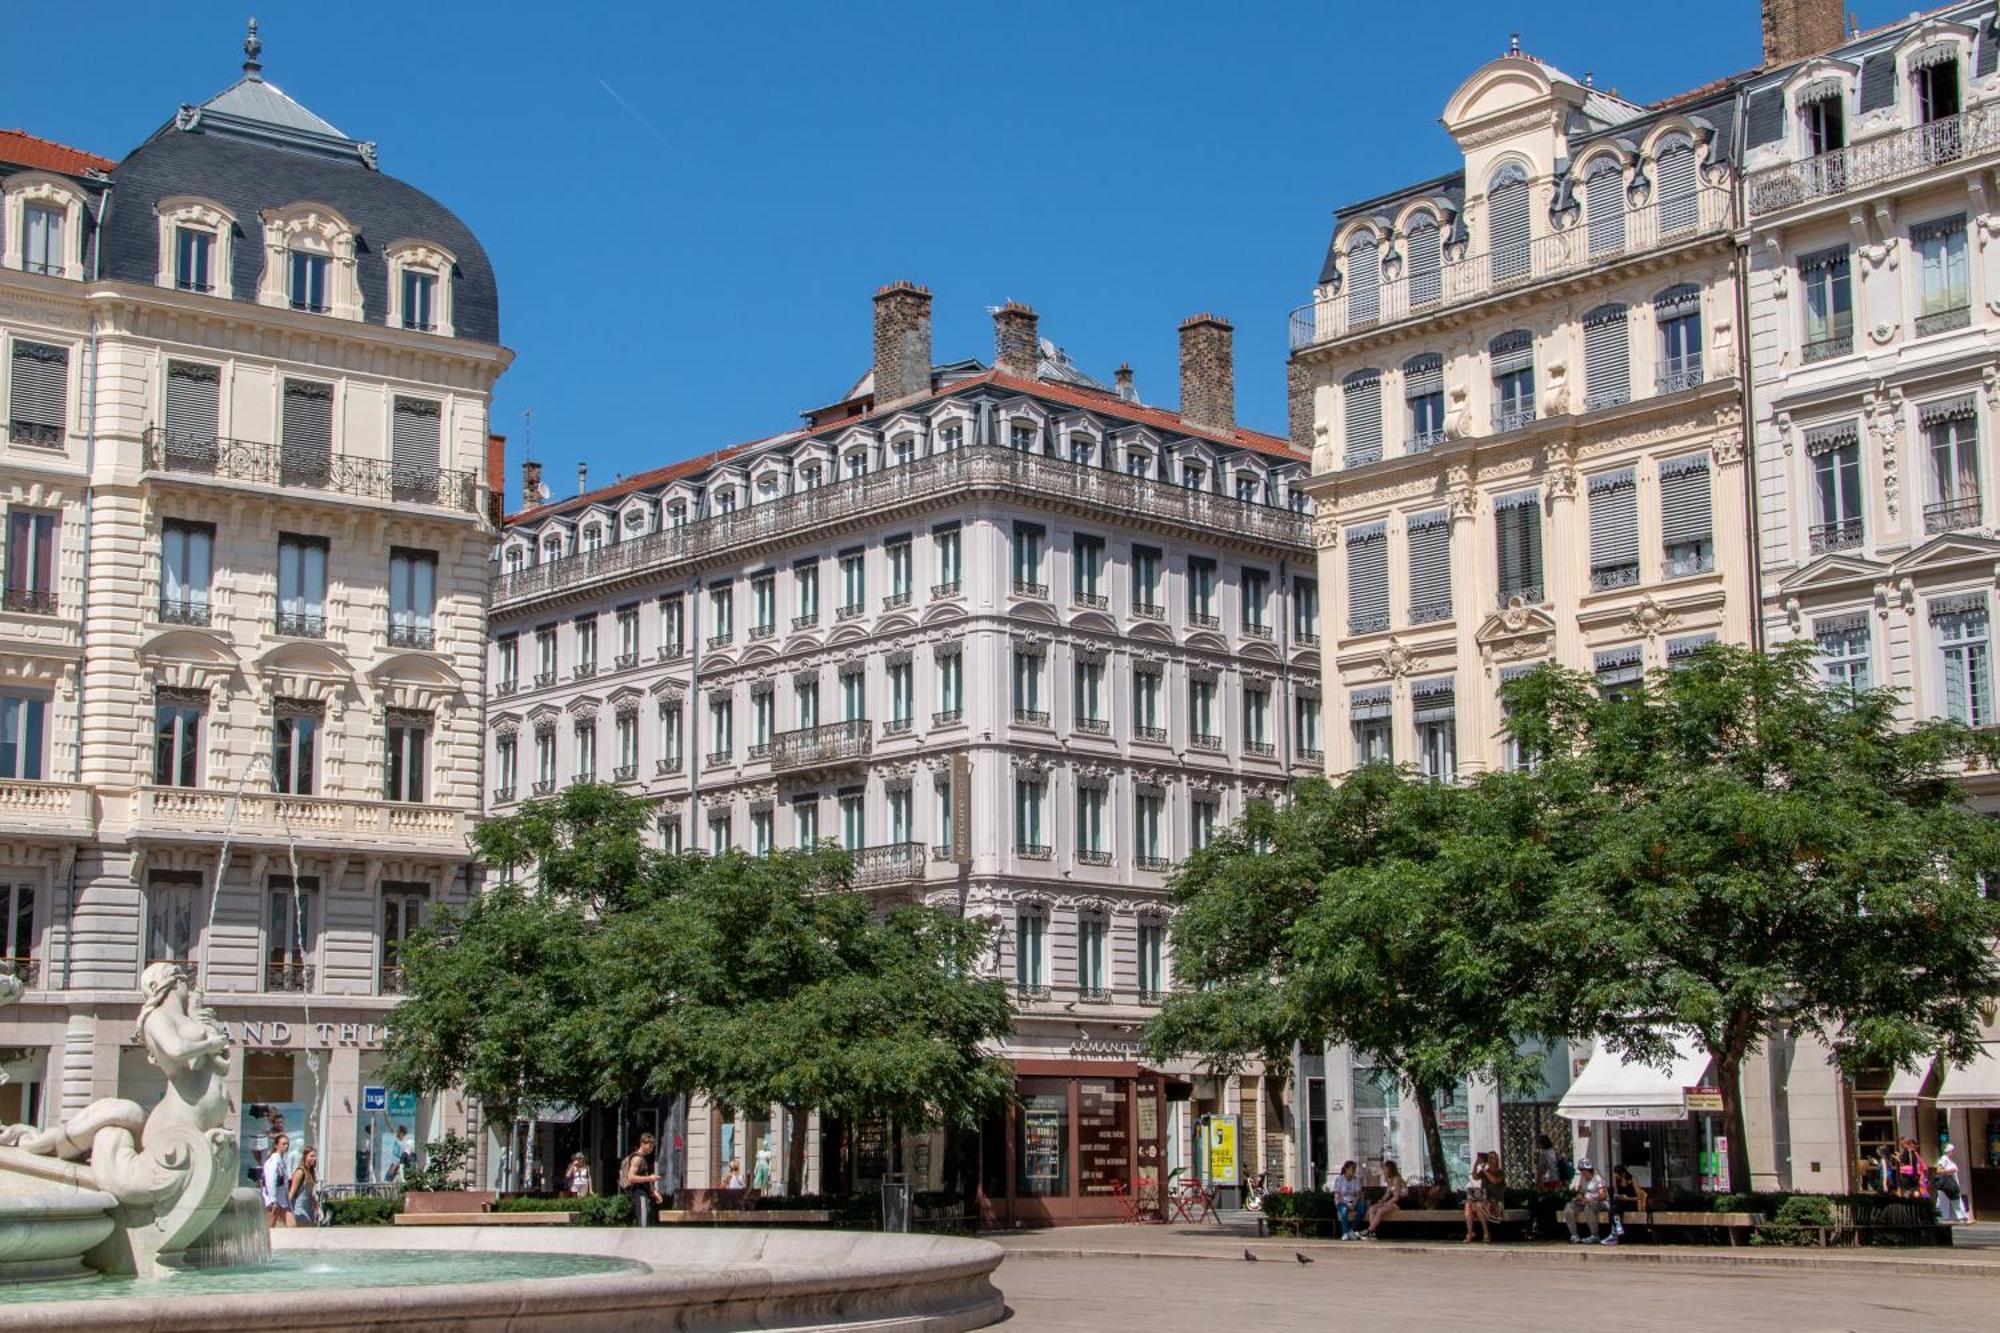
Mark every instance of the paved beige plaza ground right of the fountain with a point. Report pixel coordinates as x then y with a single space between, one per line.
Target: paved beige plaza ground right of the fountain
1135 1280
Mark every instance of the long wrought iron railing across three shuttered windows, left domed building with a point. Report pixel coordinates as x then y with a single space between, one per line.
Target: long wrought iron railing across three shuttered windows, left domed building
273 465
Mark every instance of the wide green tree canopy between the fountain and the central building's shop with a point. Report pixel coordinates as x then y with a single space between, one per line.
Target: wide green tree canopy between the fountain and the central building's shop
605 970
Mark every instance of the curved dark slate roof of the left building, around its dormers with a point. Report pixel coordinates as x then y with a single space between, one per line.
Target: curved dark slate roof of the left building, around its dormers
251 149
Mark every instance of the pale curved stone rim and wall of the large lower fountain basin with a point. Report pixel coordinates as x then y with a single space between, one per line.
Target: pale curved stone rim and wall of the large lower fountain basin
693 1280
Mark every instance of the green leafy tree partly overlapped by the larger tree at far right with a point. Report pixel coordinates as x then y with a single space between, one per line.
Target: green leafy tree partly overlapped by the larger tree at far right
1389 914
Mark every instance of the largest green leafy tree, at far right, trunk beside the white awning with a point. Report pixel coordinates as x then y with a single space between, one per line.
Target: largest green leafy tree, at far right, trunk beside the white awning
1749 848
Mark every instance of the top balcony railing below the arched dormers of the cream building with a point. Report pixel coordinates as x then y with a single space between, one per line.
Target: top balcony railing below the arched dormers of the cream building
1573 251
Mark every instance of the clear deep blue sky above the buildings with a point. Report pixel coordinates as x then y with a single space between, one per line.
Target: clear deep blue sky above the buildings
689 207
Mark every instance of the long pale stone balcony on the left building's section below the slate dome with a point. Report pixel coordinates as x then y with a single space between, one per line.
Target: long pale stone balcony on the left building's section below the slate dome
267 818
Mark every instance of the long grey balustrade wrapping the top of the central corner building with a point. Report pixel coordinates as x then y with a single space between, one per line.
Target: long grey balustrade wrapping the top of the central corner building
983 467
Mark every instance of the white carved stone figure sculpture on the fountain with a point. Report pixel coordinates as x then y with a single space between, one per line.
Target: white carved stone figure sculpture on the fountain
115 1188
